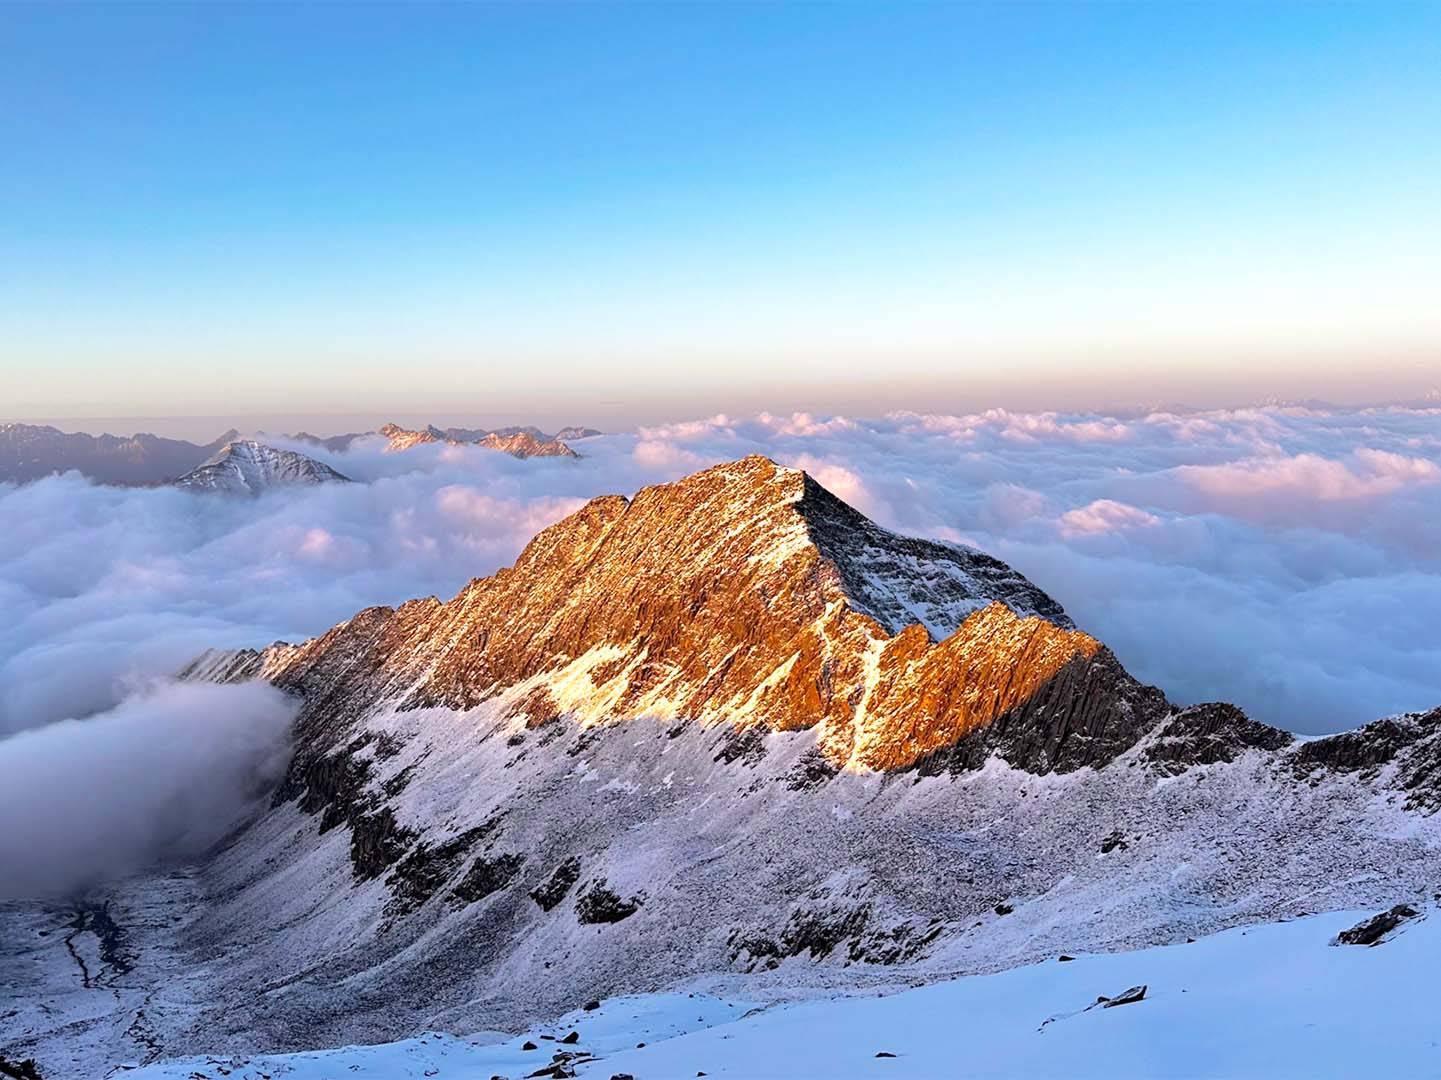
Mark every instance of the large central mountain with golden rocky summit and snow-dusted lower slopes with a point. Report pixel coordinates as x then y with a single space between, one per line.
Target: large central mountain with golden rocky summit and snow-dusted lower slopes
727 736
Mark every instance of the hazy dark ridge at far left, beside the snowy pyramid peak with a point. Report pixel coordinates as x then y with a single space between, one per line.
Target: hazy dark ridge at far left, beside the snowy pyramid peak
30 452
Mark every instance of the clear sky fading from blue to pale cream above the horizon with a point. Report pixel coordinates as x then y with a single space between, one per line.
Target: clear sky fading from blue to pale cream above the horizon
617 214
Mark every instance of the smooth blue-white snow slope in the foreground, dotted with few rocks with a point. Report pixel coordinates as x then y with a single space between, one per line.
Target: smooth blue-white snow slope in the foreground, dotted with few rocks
1269 1001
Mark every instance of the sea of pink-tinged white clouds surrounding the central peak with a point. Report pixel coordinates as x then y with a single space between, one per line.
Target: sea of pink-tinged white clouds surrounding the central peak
1283 559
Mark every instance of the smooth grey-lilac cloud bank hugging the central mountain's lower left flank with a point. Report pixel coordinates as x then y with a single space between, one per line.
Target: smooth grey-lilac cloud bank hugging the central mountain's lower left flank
164 775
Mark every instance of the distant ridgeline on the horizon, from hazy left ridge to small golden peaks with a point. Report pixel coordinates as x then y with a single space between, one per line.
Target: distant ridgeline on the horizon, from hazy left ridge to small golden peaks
31 452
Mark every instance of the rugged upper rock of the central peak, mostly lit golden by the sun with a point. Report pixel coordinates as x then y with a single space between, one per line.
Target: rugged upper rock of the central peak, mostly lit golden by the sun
746 596
